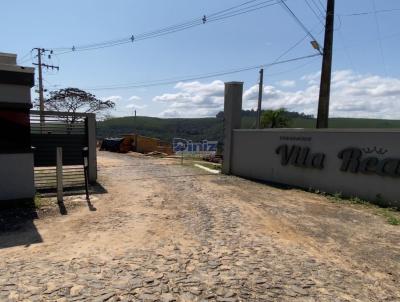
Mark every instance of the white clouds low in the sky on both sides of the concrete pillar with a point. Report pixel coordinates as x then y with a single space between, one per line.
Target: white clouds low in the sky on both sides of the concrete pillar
352 95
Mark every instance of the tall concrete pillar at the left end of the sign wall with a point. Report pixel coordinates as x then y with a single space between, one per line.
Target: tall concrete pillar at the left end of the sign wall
232 120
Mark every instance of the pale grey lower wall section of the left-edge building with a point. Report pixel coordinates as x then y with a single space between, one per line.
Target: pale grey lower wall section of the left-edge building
16 176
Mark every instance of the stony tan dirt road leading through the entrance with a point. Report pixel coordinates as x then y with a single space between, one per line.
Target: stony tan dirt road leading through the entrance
166 232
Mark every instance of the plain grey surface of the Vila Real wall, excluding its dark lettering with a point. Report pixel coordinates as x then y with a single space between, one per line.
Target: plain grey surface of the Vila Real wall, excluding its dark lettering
254 156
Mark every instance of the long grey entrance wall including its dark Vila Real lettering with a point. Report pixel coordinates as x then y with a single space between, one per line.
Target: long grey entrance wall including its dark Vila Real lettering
355 163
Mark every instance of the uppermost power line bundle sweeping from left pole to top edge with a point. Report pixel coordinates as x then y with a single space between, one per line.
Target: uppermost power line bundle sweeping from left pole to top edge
240 9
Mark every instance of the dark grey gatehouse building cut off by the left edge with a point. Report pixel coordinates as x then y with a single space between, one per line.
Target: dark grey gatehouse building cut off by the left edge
16 162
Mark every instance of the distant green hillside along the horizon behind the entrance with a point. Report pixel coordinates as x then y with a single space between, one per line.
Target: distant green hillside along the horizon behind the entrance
211 128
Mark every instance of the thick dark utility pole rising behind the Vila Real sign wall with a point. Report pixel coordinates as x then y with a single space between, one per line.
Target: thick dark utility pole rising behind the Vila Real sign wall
325 85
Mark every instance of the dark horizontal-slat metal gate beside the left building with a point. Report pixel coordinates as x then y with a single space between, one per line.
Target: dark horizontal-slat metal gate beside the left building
50 130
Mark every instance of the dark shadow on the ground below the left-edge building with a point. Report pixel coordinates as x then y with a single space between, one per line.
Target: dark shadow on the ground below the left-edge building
16 224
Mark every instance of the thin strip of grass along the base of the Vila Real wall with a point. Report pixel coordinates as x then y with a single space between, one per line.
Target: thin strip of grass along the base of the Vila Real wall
391 215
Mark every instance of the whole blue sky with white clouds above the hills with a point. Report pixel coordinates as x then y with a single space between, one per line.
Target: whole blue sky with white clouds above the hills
366 80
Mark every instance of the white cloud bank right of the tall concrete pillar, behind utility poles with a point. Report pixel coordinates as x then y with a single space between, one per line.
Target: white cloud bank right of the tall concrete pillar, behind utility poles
352 95
